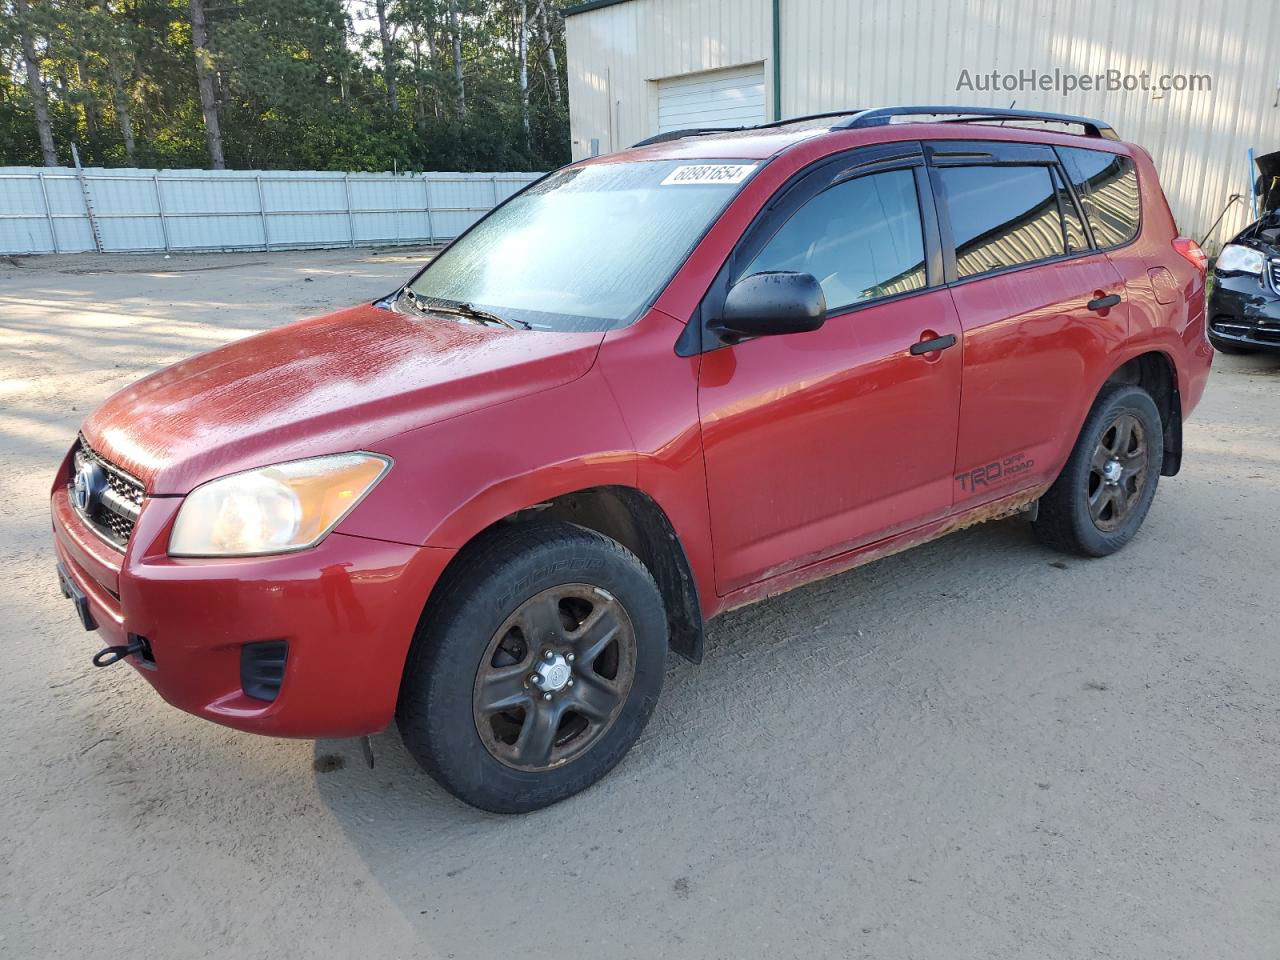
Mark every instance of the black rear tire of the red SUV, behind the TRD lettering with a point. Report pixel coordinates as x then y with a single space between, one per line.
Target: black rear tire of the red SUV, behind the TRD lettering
1067 518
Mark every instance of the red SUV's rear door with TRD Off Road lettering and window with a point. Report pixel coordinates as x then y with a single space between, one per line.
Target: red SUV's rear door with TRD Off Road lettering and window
1040 309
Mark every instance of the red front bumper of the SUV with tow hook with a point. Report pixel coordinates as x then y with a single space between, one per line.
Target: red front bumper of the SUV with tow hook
348 610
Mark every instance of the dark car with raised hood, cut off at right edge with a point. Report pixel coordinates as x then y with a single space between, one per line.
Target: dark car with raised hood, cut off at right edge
1245 307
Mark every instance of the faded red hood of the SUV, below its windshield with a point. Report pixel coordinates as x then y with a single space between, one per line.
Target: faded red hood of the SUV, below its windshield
330 385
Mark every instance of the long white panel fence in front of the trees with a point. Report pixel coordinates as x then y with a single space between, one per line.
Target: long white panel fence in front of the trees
65 211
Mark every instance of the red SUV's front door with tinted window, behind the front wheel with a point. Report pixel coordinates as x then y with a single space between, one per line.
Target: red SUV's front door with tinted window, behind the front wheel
821 442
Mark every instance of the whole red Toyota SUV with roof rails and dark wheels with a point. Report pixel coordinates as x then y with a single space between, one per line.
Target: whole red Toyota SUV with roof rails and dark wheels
650 388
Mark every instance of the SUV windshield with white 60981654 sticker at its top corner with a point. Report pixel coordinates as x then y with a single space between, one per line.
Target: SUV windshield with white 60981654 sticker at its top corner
587 249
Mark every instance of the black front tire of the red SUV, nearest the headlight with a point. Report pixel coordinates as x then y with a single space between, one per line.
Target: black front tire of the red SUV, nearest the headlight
500 579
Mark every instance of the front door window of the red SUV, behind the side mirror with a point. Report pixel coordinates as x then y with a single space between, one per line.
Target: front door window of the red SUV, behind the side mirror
861 239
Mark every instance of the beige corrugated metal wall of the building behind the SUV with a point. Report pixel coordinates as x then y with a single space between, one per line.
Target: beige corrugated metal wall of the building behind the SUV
840 54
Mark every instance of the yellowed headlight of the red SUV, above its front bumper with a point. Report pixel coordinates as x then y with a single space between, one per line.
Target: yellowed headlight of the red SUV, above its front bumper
273 510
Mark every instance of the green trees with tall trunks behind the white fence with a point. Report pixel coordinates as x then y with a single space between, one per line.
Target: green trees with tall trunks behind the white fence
330 85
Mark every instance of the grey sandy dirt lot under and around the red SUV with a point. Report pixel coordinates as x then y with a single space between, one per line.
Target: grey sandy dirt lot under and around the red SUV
973 751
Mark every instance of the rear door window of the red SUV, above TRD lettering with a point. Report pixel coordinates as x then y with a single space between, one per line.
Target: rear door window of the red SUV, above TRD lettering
1002 217
